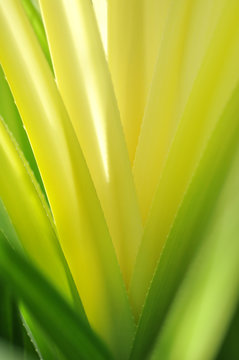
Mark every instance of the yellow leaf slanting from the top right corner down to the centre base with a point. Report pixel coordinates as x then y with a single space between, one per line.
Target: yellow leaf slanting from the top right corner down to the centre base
211 92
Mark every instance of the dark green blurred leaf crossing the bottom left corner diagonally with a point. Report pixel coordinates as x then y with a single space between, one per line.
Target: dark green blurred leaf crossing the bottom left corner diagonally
63 326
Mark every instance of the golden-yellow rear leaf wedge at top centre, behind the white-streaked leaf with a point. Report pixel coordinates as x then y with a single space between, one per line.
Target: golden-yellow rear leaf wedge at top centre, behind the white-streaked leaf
134 34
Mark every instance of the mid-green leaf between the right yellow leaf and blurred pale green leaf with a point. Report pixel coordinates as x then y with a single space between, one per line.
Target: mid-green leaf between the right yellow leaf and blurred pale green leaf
189 227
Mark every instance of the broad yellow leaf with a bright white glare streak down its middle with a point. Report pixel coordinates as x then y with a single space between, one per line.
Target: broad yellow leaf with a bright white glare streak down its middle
85 85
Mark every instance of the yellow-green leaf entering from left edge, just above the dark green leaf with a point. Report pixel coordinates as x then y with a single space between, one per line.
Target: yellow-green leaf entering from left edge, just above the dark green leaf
38 237
